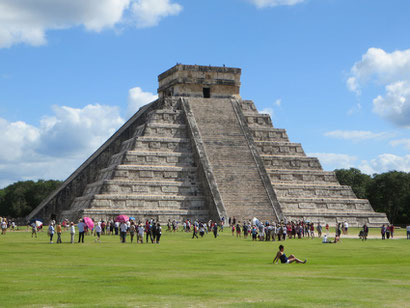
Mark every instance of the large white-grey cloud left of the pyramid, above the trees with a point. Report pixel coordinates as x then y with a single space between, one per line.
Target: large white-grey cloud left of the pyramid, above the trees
58 145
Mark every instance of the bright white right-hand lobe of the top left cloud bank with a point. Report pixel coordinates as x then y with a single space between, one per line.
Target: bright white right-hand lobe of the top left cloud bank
149 12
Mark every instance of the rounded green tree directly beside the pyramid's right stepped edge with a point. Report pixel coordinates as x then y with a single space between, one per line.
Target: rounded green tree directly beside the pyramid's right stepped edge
356 179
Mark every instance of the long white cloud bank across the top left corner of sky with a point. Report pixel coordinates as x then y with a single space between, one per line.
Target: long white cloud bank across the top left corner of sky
26 21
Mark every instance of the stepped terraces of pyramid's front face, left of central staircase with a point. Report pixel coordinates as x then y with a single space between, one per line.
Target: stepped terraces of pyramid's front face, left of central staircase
153 175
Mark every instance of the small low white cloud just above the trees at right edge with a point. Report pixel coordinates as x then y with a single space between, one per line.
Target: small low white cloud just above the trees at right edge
385 163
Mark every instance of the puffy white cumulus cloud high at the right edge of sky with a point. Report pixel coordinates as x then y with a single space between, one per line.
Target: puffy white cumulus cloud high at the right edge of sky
391 70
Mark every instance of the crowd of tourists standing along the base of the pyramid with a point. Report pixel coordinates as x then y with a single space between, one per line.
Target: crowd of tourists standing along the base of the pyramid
151 230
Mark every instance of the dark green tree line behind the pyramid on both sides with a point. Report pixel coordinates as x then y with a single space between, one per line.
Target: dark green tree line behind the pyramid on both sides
387 192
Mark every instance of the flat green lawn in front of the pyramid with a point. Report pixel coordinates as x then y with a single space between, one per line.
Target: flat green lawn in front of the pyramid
205 272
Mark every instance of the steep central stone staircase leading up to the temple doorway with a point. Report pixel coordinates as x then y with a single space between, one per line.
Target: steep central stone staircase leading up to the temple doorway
233 165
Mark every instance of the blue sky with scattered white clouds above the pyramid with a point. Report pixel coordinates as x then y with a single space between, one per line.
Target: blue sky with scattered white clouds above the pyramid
334 73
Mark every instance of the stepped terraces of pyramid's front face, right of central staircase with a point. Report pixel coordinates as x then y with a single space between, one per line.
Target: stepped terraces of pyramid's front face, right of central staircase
303 189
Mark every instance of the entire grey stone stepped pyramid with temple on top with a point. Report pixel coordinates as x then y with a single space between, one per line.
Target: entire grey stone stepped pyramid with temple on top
202 152
